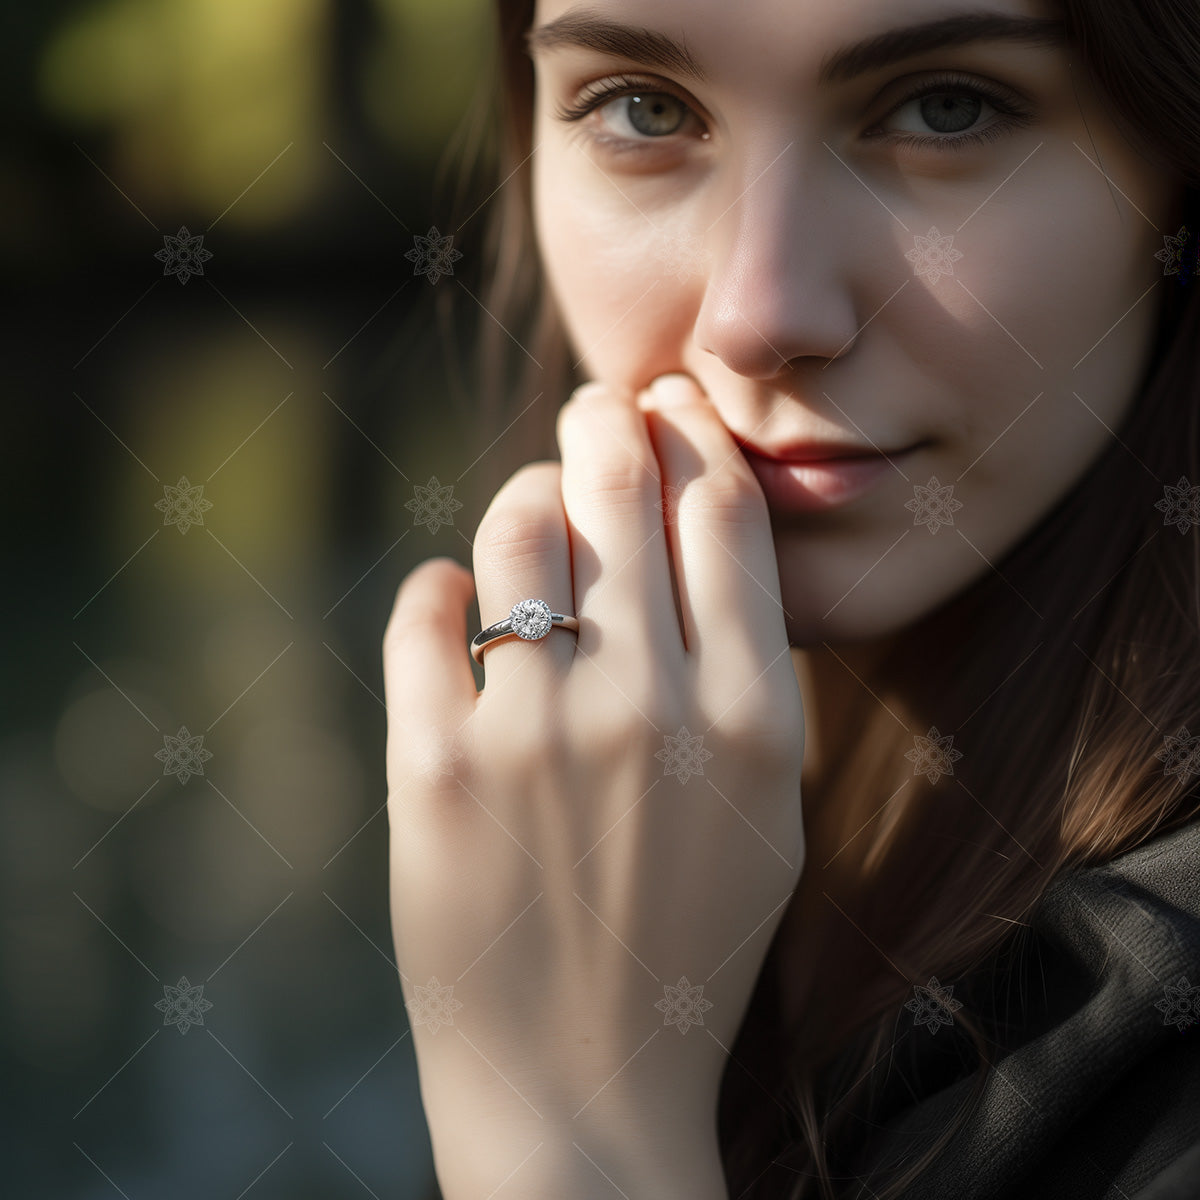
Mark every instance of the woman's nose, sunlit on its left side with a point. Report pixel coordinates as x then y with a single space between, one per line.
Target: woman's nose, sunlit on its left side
777 290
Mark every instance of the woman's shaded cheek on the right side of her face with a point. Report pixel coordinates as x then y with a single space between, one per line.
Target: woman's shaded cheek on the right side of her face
1036 344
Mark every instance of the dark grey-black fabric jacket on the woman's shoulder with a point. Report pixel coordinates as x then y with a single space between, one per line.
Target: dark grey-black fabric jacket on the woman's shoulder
1097 1094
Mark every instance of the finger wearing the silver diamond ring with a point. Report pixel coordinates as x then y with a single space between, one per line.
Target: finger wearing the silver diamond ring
521 553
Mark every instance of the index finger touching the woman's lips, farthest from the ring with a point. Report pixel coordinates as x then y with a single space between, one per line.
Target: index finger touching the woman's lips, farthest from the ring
719 532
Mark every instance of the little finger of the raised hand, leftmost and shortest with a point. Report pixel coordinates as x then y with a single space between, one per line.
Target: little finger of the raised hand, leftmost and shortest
429 686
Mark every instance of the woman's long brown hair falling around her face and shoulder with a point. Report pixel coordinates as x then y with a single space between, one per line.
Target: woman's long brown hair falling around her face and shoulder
1064 675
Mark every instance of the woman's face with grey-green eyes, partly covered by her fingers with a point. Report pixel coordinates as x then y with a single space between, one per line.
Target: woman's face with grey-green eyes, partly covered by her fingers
851 235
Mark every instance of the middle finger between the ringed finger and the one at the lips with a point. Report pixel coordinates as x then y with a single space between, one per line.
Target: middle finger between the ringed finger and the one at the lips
613 494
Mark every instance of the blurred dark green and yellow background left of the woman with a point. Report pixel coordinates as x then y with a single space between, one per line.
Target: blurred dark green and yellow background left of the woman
298 381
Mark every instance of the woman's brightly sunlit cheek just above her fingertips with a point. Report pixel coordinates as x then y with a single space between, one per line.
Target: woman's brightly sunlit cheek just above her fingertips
627 310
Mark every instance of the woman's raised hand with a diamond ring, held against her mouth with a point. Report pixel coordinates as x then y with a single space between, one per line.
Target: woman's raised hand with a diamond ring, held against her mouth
617 811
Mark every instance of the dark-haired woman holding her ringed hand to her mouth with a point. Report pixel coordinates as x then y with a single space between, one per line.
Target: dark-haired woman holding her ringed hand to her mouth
849 845
